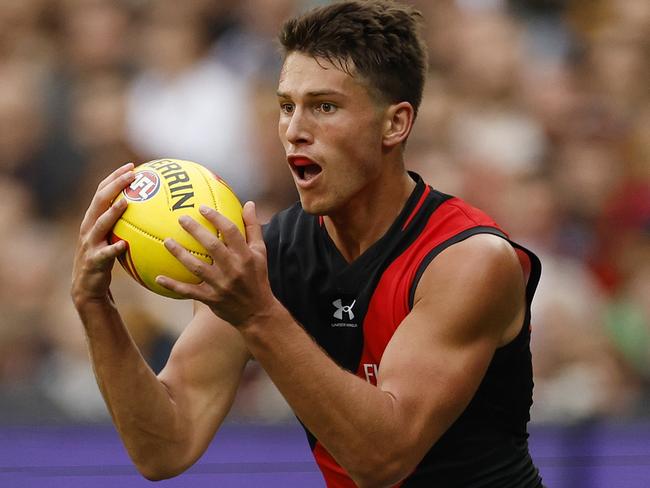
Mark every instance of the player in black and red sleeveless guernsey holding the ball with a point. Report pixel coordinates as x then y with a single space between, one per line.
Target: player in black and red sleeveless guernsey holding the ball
394 319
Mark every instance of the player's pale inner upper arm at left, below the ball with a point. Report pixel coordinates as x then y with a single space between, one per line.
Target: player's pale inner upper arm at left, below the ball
202 375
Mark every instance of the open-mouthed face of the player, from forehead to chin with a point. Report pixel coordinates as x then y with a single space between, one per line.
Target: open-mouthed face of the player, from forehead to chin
331 130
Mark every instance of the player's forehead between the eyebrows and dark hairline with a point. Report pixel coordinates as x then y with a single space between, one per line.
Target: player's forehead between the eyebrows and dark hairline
302 74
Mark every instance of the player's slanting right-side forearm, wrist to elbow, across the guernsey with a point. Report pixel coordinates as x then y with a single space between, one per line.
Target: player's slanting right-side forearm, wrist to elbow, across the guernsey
349 416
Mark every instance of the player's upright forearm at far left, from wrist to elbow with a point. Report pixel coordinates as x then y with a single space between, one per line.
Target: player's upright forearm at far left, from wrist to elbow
140 405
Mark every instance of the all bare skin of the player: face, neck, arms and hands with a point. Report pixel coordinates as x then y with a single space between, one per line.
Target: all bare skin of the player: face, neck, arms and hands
469 301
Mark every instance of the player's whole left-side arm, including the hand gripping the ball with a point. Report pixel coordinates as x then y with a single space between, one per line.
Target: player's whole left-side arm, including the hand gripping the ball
166 422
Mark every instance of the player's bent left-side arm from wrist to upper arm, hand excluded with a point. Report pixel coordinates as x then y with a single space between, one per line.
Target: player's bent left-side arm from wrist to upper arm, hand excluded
166 422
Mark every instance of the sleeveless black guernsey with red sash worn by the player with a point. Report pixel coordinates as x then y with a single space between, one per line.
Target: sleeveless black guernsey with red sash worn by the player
352 310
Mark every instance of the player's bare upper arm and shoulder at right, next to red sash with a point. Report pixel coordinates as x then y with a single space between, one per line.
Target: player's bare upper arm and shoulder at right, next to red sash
465 302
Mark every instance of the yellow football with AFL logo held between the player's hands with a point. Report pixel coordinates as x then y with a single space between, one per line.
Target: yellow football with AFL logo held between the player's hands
162 191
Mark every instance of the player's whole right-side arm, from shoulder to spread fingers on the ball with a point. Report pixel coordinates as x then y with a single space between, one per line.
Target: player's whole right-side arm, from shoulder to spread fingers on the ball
469 301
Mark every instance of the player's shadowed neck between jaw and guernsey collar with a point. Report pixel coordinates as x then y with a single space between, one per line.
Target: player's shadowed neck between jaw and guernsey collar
365 220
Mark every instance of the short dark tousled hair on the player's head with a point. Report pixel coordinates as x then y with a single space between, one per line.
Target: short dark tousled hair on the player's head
377 39
